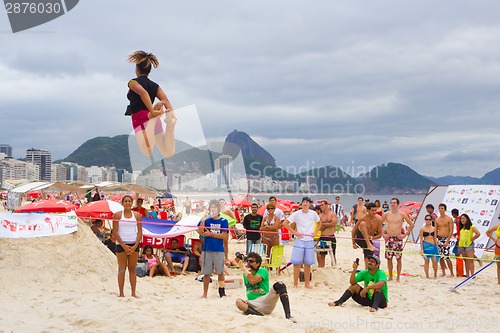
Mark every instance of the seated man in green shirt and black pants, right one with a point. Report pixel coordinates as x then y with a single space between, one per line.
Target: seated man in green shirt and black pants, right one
374 293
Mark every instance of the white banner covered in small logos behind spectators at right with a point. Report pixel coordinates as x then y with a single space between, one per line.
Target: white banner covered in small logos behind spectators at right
480 203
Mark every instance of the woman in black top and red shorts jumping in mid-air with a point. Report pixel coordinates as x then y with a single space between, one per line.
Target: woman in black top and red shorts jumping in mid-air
146 117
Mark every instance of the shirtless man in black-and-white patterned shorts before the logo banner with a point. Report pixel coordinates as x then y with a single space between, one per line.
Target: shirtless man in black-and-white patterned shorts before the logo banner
444 226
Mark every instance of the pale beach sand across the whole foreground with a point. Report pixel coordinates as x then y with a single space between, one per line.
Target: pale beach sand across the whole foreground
68 284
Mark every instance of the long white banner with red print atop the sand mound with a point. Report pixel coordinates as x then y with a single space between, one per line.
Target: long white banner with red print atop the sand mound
14 225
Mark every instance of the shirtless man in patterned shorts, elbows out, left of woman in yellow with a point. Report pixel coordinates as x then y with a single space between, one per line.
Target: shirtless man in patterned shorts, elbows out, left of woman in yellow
394 234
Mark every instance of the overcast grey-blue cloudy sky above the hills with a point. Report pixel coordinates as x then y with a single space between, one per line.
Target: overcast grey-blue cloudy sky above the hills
352 84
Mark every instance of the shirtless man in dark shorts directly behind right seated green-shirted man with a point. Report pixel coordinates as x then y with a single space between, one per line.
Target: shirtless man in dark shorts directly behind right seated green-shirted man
366 230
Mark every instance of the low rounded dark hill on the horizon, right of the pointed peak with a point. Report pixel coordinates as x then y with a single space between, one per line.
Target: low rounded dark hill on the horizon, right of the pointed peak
392 177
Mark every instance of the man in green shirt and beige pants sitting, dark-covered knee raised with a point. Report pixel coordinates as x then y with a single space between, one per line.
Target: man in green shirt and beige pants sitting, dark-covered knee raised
261 299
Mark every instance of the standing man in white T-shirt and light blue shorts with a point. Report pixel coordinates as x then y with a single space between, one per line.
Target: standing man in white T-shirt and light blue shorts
303 247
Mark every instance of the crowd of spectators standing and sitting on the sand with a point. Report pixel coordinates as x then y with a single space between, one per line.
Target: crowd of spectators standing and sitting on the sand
313 228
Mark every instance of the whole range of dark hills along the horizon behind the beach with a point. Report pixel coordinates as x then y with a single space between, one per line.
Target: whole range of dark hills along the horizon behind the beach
388 178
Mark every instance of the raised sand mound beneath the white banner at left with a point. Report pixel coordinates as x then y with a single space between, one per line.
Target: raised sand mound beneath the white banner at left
63 262
